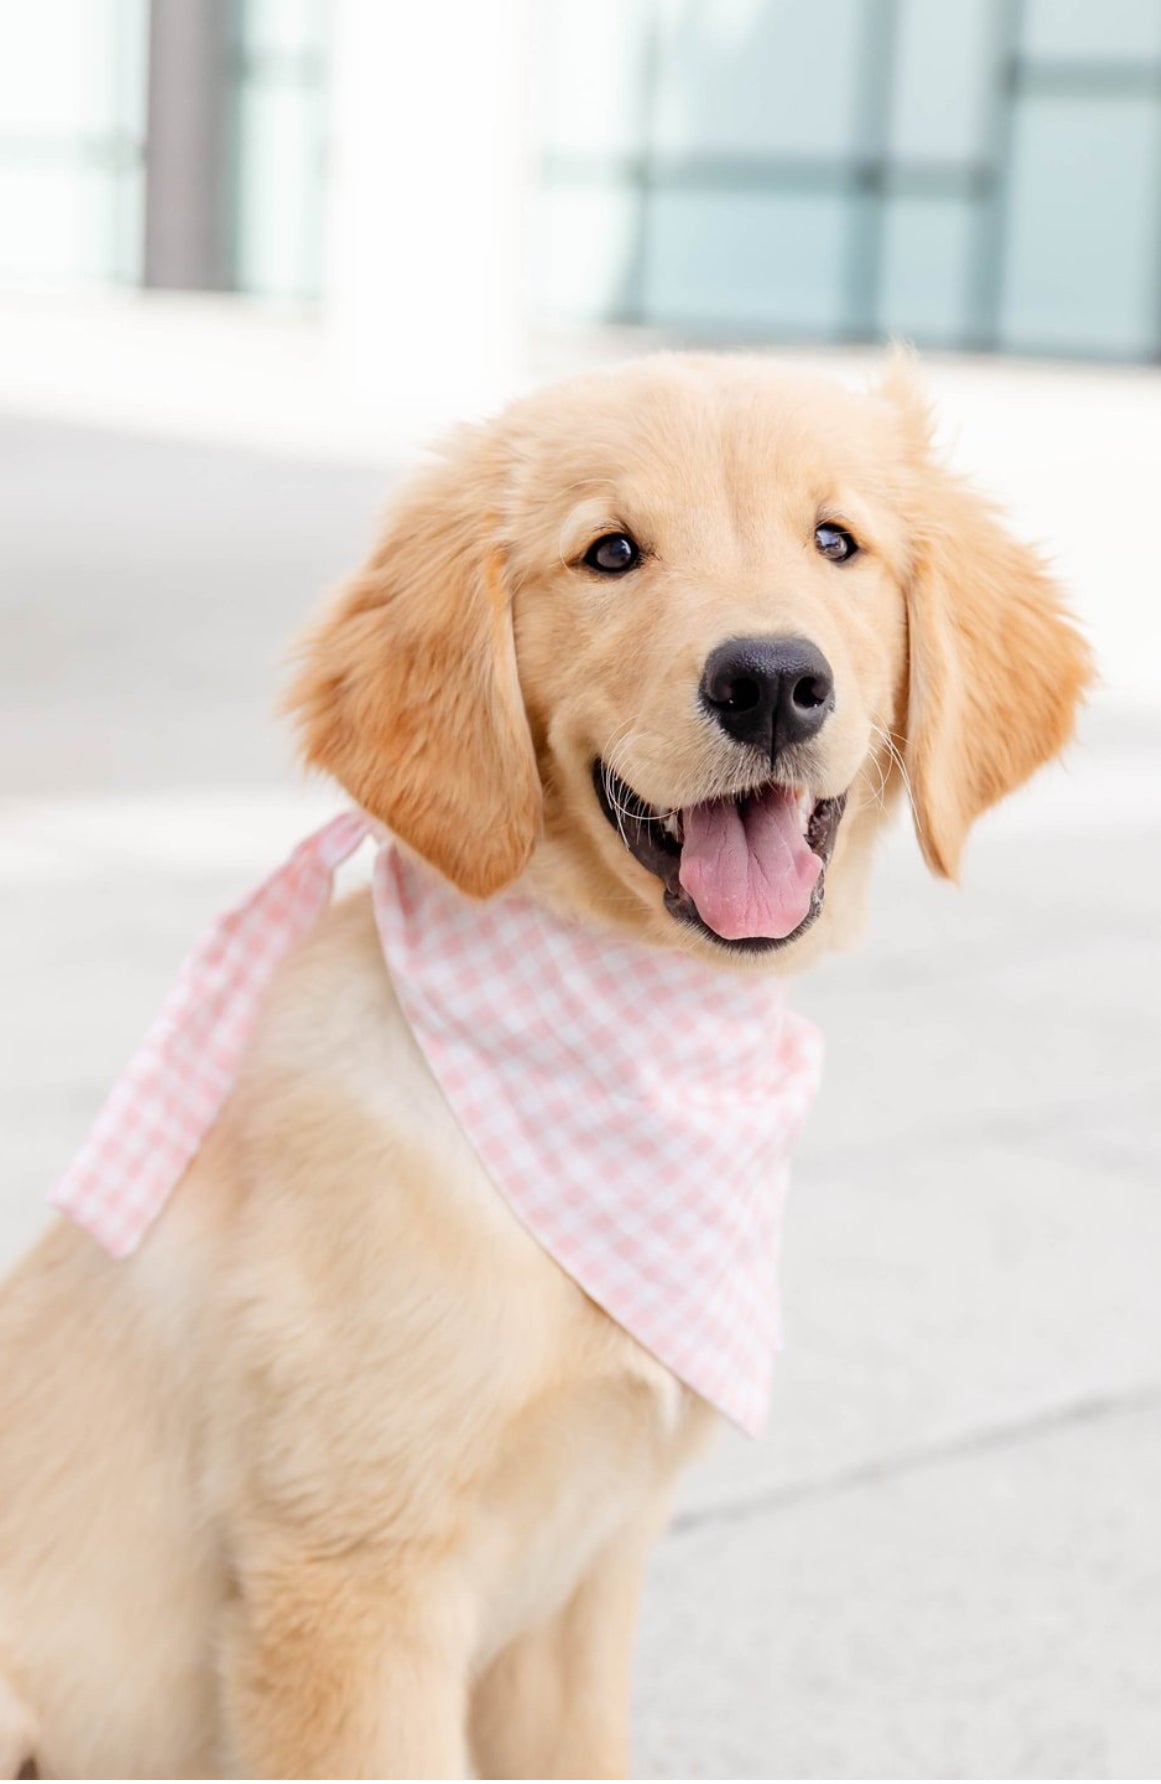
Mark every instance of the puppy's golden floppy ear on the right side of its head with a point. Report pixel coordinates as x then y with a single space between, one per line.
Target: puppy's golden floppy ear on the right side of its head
996 668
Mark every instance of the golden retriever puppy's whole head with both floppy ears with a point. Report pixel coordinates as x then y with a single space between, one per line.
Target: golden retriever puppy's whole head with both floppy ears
668 641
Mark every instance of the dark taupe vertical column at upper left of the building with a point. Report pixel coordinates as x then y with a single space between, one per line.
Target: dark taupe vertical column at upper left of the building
188 147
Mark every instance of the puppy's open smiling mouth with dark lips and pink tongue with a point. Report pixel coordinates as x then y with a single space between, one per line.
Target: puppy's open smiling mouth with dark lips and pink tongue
748 871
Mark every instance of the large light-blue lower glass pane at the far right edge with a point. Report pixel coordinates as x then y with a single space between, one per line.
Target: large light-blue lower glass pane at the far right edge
1083 226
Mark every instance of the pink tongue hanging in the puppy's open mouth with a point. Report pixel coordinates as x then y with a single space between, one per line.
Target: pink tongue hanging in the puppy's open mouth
748 870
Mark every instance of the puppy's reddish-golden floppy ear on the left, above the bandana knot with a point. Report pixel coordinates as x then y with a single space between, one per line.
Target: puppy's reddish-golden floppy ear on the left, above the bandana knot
409 691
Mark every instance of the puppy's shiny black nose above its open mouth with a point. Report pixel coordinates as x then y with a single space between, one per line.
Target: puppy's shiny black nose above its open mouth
770 693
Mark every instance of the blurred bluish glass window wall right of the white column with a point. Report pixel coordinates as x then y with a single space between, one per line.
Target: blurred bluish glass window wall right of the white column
971 174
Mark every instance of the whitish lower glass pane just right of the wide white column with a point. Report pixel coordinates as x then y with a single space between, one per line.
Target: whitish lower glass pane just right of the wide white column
586 242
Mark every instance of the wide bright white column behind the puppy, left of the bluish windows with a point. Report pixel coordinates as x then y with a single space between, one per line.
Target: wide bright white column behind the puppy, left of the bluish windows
425 290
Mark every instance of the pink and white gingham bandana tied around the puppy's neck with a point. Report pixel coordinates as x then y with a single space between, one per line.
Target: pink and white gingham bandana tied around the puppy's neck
634 1107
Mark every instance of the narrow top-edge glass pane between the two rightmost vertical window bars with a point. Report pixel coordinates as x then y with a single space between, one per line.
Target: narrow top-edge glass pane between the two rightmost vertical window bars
944 79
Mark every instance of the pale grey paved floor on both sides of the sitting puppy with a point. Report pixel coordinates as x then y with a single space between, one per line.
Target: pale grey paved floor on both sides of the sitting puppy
946 1557
